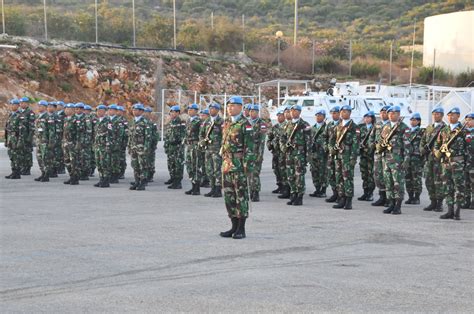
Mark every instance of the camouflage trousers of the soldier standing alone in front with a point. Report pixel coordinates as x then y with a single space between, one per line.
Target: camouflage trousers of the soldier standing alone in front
236 196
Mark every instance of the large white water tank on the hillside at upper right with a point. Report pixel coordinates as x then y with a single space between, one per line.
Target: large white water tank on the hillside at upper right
452 35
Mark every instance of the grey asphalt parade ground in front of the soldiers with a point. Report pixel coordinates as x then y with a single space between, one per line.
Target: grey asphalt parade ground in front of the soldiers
85 249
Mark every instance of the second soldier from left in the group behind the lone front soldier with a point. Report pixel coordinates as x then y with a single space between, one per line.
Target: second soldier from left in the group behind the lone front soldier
192 149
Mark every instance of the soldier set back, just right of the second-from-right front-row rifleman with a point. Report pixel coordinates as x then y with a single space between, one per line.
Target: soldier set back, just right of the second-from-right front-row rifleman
414 173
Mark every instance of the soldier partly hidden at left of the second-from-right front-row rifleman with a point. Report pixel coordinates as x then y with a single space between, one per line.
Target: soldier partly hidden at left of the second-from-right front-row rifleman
378 160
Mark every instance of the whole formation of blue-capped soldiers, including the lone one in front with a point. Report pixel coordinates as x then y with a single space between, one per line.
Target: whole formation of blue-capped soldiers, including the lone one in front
224 151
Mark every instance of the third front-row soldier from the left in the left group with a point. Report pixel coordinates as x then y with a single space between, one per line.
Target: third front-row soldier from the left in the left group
71 145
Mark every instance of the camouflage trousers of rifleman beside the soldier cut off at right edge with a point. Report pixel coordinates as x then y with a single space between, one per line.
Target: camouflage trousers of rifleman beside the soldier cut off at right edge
454 181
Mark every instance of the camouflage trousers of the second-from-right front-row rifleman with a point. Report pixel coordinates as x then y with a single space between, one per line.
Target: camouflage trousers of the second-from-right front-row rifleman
394 178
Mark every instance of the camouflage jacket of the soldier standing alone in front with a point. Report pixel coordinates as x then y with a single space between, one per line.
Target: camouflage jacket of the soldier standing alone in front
238 146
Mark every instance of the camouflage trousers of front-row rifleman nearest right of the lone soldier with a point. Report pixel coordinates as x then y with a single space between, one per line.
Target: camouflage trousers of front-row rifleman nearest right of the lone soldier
295 171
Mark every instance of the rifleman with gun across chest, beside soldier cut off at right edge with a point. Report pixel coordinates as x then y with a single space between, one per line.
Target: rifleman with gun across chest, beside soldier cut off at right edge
451 149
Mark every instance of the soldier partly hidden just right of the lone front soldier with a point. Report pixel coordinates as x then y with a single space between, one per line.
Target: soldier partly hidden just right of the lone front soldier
259 133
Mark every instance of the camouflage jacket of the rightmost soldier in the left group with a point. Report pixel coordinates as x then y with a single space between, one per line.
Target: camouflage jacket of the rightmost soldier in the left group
139 136
